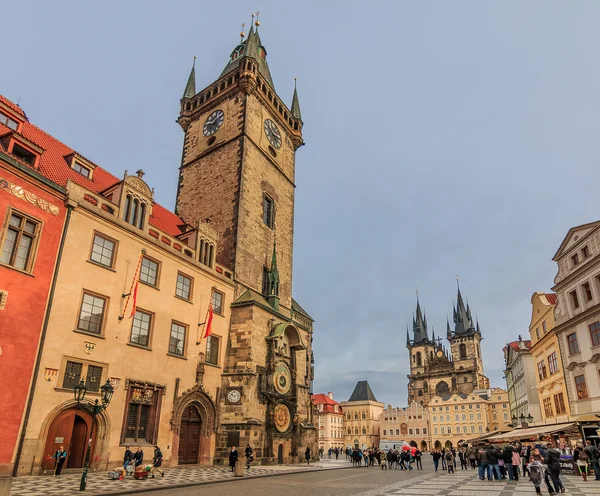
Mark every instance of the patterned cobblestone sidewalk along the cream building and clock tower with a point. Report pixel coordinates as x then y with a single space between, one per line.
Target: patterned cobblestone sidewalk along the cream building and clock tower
98 483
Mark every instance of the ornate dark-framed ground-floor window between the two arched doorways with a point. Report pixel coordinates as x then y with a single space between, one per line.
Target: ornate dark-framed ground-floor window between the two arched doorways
142 412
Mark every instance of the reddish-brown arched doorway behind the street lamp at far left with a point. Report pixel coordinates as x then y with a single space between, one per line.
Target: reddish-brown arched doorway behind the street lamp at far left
70 429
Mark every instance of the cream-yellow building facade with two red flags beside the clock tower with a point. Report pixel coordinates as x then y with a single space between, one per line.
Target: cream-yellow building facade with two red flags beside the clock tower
149 377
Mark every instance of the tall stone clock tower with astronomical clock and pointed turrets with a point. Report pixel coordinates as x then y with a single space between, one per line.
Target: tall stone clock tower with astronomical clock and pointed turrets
238 174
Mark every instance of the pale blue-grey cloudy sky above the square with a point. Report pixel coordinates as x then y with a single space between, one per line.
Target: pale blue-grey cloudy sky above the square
443 139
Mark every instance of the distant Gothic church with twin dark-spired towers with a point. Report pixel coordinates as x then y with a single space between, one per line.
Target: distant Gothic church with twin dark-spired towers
438 371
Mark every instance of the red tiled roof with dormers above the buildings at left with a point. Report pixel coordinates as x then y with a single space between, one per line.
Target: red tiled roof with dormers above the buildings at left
53 165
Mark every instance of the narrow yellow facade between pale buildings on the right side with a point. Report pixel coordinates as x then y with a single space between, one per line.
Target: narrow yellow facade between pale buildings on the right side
554 403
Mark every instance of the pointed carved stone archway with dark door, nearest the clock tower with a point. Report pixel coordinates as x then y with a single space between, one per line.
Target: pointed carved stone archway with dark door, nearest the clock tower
197 411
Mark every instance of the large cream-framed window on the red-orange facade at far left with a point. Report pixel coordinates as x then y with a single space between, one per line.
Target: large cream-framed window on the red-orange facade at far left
19 242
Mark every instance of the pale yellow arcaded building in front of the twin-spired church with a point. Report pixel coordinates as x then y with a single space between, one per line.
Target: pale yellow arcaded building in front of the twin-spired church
462 417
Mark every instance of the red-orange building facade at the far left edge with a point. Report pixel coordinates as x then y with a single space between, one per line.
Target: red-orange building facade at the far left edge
32 216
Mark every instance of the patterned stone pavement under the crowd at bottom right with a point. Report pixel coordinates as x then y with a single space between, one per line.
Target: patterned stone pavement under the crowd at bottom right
466 483
